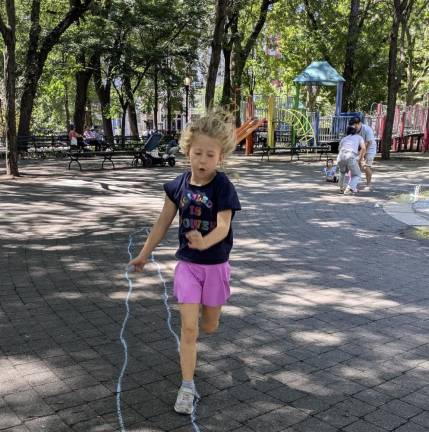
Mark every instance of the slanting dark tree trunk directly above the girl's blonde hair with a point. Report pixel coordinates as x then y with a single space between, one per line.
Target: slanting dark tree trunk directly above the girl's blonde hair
216 48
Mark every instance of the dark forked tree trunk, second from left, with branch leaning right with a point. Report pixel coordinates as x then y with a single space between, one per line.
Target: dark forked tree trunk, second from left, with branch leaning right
37 54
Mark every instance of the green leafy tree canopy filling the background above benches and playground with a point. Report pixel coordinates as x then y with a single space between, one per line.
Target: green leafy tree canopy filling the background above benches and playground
76 56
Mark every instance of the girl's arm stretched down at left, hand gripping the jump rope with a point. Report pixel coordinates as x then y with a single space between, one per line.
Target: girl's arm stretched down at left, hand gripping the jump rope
156 234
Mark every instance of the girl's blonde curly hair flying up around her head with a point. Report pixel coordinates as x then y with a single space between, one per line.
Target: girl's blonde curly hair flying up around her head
216 123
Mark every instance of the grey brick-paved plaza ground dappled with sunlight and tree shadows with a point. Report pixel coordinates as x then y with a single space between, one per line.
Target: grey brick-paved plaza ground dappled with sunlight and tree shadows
328 328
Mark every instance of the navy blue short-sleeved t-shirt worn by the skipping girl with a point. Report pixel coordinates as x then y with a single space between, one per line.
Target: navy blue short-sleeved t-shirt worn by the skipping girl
198 208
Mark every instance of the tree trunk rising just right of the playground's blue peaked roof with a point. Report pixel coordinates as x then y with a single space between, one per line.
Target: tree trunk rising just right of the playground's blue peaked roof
351 45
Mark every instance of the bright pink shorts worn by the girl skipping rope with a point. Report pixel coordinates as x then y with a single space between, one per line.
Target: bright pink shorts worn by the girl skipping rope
206 284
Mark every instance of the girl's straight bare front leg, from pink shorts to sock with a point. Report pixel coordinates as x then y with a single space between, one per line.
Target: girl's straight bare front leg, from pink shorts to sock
189 314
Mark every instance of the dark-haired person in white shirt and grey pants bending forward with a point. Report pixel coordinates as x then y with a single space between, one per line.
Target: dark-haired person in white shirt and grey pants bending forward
351 151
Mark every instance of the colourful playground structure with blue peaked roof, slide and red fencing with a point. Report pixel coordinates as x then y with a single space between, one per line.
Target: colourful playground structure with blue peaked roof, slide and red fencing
275 122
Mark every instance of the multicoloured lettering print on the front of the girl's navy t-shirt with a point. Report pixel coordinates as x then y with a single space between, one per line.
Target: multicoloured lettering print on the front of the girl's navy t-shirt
196 212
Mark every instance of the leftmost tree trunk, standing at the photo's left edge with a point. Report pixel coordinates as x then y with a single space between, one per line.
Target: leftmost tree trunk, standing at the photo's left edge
8 34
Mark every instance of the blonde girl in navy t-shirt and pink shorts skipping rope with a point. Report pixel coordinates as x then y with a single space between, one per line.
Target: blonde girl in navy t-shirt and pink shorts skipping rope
207 201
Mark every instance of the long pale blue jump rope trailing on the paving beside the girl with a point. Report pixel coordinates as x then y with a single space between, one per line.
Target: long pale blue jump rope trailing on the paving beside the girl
129 270
